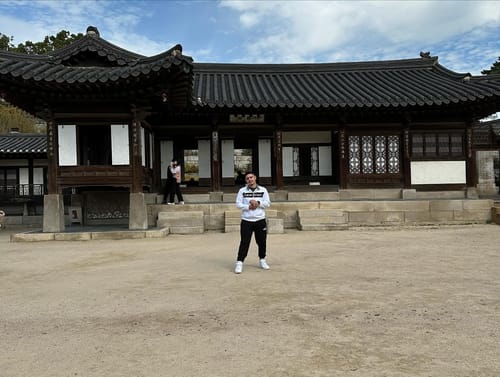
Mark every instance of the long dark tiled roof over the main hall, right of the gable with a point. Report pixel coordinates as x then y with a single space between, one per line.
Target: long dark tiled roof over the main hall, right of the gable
399 83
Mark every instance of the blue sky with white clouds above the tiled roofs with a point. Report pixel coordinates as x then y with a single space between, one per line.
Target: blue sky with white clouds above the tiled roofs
464 34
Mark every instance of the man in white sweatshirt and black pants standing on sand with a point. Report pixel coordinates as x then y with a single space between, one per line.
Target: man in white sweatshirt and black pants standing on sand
252 199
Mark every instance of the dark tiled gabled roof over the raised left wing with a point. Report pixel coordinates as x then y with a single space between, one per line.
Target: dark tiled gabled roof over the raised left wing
93 65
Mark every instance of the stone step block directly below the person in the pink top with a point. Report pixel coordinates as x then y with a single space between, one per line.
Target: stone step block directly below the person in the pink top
182 222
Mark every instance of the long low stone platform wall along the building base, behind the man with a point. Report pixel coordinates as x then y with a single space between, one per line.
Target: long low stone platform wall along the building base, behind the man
359 213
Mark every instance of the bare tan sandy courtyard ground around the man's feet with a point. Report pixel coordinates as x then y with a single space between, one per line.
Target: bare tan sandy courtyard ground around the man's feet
363 302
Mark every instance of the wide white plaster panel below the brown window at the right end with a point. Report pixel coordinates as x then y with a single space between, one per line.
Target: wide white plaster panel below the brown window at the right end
437 172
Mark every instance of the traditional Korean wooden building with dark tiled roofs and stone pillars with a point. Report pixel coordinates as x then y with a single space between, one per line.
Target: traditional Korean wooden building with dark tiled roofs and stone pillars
115 120
